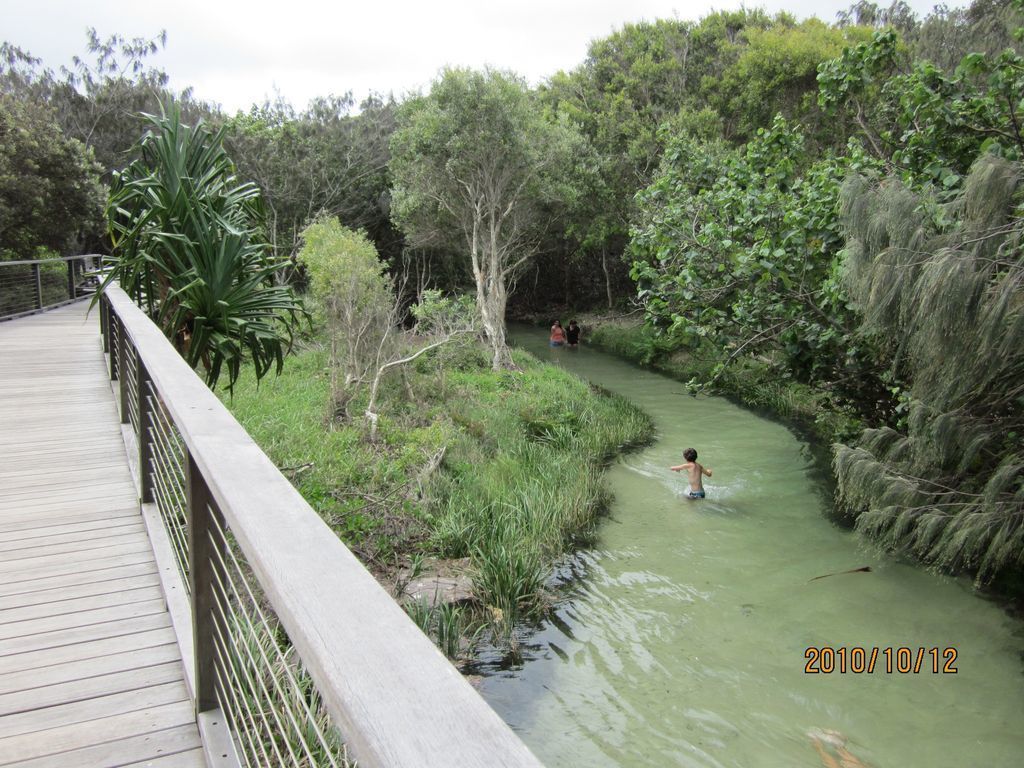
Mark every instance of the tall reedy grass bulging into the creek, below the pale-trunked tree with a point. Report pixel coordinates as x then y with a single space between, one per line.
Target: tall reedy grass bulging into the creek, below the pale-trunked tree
516 501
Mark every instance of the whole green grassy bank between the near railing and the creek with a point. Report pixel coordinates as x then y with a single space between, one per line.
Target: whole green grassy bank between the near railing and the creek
501 468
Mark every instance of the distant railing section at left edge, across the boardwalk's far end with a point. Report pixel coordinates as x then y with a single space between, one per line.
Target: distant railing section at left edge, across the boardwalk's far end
31 286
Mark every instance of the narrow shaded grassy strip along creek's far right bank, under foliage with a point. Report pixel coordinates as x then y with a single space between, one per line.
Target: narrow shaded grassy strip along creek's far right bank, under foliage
754 383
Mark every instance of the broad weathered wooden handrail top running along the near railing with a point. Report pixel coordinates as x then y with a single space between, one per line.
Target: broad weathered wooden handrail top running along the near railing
394 697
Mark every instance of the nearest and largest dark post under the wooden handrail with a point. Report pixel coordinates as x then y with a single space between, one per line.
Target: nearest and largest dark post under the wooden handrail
201 581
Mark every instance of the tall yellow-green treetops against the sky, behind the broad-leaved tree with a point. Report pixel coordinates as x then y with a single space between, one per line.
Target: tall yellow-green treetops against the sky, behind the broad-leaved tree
652 84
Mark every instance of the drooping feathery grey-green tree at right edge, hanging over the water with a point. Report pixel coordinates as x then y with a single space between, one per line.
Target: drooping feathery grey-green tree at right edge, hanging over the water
944 295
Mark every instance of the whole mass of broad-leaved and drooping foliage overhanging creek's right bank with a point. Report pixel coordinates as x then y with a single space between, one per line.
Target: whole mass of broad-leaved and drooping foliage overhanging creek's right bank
886 274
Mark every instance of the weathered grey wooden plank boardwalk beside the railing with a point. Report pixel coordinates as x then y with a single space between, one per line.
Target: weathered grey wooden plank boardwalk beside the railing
91 672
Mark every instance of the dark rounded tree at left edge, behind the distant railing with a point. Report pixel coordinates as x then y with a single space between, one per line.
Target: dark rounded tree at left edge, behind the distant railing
50 185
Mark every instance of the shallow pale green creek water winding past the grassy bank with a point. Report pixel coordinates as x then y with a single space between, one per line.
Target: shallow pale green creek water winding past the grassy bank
679 638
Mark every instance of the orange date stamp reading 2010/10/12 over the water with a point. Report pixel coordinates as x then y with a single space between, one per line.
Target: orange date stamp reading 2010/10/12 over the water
861 661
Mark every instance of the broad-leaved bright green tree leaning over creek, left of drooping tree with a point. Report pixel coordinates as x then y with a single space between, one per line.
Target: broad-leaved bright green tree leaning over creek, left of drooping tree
739 248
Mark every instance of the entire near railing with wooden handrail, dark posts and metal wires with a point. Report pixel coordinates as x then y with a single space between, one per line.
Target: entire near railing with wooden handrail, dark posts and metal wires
286 637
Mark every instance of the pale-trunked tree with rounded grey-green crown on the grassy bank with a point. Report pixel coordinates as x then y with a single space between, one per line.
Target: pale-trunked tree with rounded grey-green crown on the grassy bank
476 164
